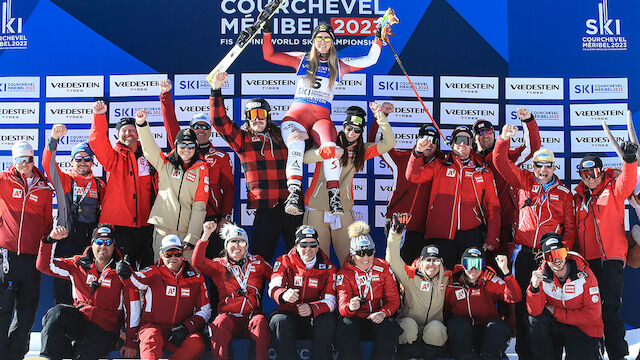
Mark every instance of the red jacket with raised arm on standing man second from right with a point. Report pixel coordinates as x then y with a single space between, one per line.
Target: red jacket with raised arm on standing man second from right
540 211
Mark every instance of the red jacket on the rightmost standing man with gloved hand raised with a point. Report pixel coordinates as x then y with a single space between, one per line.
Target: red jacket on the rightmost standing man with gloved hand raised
600 219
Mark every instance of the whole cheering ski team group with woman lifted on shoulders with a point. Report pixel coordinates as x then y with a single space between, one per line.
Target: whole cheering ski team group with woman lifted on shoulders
478 249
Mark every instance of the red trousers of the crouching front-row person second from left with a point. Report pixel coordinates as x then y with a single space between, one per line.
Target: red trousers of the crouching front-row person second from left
153 339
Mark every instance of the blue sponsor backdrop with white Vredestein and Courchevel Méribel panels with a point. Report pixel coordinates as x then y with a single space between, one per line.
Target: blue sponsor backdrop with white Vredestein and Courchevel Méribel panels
573 64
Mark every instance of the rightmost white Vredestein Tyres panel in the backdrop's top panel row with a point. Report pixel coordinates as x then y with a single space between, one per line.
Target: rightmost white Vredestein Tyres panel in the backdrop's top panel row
534 88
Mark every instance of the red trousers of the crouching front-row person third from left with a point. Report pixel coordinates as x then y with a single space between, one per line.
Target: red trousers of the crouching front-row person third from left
225 327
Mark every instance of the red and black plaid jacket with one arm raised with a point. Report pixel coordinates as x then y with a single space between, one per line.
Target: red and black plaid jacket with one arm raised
263 161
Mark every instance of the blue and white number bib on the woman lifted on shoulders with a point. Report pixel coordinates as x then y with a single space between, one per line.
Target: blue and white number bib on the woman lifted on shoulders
318 93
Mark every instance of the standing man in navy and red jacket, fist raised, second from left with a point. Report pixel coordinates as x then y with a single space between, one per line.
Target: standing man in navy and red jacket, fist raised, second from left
79 196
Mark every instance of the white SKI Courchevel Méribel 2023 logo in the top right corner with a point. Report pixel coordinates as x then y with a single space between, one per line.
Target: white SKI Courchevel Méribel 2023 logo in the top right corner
605 32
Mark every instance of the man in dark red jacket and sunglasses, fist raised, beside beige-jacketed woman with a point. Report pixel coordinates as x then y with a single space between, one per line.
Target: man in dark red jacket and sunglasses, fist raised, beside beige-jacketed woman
463 195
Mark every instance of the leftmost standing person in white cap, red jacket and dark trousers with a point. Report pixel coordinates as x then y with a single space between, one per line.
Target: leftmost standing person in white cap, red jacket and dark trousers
25 205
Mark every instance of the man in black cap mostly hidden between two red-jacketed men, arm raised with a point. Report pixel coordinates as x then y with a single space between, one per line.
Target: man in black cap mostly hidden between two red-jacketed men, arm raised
484 143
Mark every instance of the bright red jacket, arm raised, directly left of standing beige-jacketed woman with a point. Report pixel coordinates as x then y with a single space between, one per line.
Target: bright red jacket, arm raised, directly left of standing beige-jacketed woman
129 180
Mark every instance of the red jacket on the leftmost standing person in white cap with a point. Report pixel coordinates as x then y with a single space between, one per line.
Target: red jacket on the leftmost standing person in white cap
25 212
